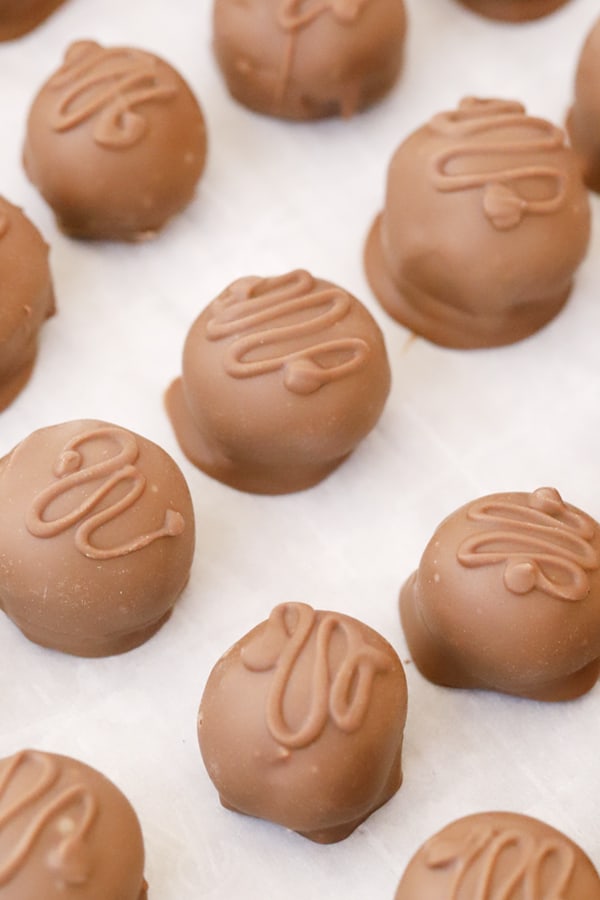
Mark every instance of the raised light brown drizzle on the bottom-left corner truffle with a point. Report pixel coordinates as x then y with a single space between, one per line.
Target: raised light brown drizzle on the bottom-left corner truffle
63 859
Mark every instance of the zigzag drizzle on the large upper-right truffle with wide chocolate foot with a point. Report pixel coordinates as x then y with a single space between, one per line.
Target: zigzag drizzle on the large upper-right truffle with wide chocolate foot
502 203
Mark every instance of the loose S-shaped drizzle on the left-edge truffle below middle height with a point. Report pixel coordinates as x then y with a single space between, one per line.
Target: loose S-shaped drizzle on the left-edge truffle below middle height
71 474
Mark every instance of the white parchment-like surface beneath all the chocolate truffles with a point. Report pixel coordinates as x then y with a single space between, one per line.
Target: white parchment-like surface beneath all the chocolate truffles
276 196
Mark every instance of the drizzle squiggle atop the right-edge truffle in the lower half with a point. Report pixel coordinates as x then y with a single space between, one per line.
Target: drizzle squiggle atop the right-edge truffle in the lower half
531 536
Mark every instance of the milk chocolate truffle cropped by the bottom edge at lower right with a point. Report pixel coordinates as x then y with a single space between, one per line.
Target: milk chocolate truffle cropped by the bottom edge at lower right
499 854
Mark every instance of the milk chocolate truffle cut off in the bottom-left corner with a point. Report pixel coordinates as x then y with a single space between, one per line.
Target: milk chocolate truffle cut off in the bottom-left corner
66 832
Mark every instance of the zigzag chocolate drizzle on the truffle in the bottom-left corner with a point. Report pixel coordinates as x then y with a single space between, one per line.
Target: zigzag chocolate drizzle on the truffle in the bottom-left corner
35 807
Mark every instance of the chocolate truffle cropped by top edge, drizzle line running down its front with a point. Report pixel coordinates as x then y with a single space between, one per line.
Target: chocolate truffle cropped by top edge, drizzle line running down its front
301 60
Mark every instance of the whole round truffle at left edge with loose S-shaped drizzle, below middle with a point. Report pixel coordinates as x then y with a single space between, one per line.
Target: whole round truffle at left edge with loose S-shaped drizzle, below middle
96 537
